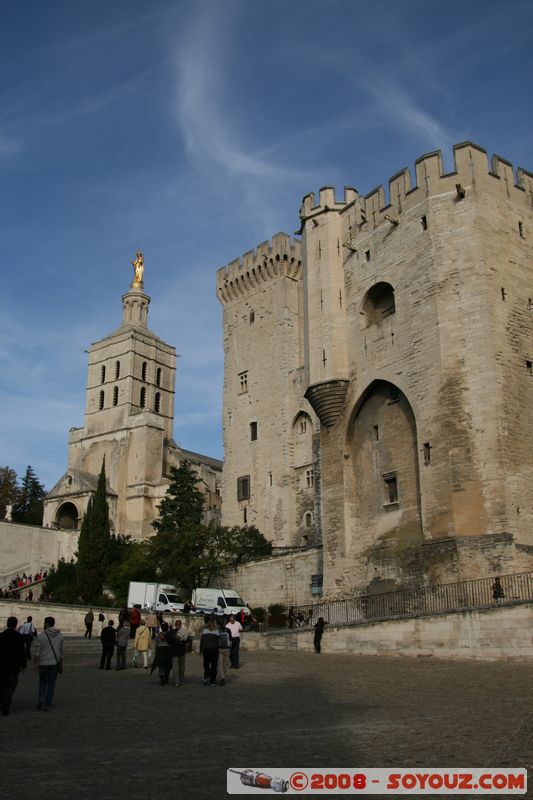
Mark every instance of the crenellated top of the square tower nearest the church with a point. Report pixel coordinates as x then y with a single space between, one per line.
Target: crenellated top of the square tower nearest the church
269 260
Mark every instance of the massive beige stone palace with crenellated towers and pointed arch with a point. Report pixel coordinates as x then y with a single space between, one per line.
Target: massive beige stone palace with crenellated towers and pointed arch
378 382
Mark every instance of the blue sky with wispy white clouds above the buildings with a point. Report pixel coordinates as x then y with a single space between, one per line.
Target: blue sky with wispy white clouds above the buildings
191 130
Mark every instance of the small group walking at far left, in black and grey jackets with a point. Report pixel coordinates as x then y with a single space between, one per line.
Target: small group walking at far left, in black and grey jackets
19 645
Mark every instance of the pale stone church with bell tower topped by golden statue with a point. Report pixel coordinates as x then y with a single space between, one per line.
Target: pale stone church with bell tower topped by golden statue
128 423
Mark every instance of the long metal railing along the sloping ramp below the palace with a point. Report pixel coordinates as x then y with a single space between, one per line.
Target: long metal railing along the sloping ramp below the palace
436 599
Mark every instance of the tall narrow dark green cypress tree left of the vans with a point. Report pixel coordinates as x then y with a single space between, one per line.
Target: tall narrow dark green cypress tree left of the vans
94 544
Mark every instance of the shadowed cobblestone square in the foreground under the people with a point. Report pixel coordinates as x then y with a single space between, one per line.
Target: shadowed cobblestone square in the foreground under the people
123 736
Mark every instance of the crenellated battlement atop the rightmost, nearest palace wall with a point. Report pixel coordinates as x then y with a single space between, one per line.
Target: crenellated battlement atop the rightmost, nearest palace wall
471 171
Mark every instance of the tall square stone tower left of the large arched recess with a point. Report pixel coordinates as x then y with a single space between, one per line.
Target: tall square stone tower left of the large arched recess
270 466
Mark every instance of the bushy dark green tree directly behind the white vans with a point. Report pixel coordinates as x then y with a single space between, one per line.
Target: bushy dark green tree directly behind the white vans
191 553
